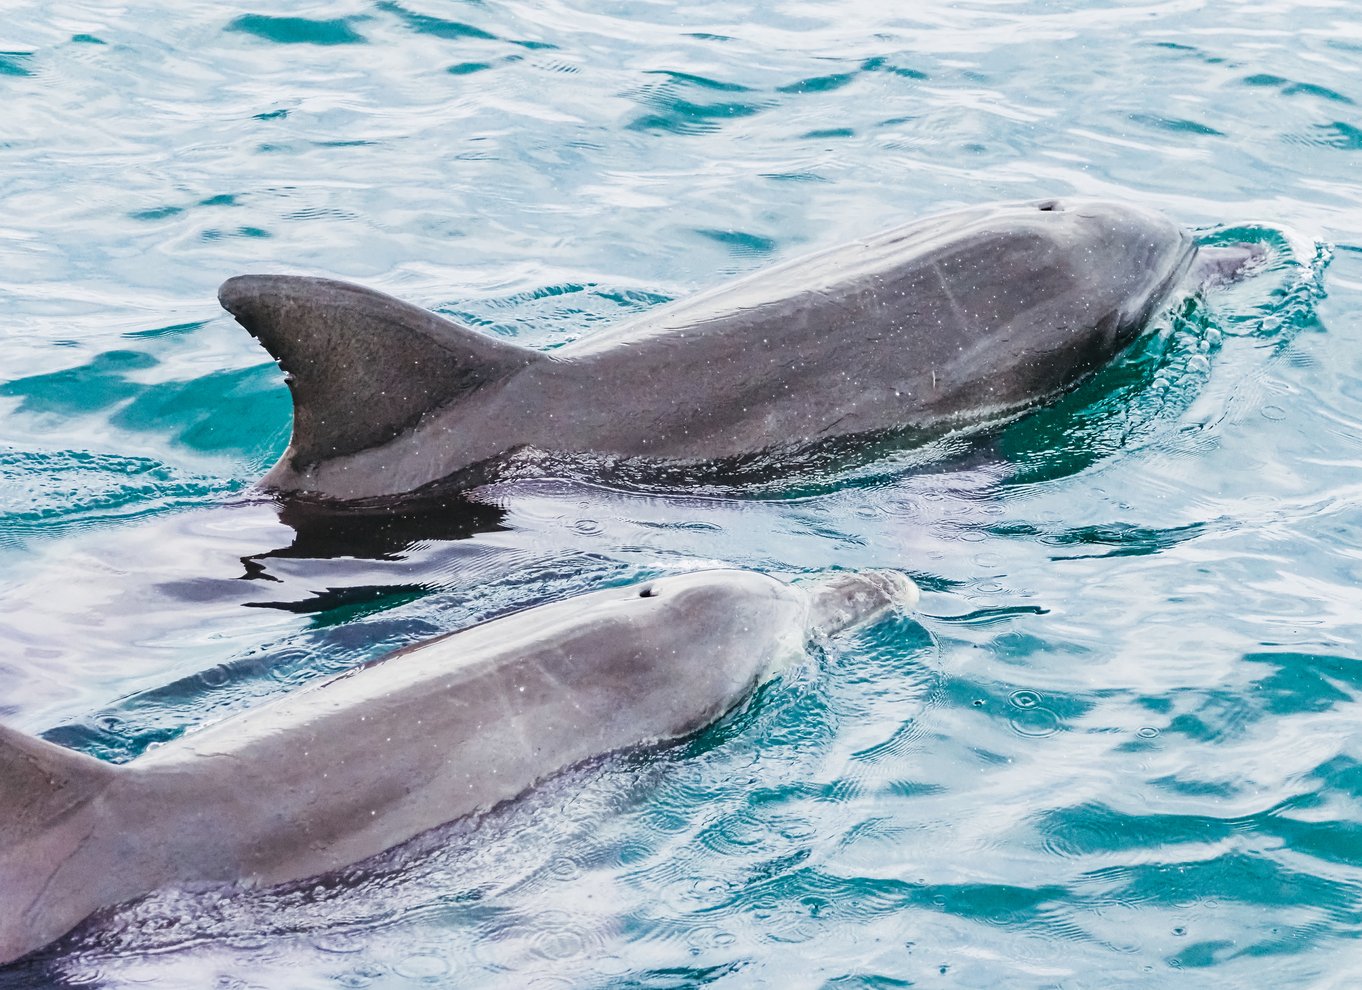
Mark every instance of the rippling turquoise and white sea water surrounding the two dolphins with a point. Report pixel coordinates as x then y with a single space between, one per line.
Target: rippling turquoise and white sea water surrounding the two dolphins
1118 747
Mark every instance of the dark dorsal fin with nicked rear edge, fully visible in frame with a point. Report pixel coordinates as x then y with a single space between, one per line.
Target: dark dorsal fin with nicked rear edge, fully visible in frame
363 367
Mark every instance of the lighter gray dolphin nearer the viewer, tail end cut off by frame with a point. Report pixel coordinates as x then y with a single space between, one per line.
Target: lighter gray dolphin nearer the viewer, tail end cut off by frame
338 773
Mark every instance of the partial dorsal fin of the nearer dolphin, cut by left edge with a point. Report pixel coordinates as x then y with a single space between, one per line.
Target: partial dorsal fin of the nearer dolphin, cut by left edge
42 784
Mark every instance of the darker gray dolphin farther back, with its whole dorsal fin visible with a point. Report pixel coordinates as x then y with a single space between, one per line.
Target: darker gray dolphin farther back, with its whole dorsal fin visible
923 329
